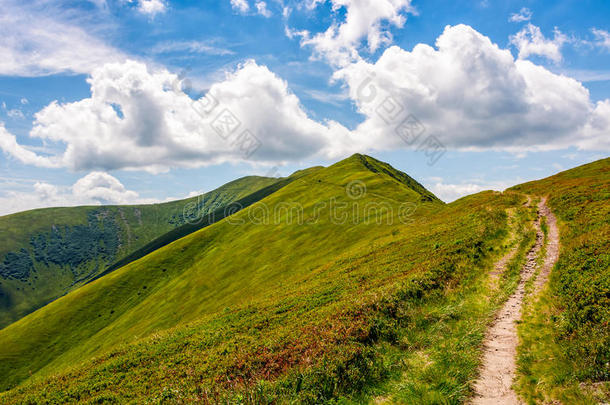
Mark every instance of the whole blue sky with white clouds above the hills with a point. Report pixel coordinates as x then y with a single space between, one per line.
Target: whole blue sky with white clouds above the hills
144 101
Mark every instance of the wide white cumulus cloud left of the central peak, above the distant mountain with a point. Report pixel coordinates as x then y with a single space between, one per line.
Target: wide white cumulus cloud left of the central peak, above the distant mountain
138 119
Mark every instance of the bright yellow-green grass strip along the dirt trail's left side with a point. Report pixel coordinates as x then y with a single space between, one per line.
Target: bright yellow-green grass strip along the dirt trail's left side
439 355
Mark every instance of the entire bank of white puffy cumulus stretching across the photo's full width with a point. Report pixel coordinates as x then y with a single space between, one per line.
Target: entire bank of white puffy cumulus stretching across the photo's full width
466 92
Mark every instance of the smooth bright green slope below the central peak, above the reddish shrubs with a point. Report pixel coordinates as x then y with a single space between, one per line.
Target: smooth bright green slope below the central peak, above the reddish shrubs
207 271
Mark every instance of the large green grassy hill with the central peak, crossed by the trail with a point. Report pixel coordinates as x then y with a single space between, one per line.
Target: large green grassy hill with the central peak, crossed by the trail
349 284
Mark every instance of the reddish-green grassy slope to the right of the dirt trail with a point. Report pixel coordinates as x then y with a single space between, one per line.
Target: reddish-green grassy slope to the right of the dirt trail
565 339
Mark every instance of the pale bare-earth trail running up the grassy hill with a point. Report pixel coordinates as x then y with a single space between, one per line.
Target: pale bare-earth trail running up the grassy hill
500 347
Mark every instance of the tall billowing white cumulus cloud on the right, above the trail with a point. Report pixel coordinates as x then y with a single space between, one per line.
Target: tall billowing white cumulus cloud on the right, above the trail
471 94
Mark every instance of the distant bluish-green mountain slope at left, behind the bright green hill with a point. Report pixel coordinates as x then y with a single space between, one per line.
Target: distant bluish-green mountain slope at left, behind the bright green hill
46 252
